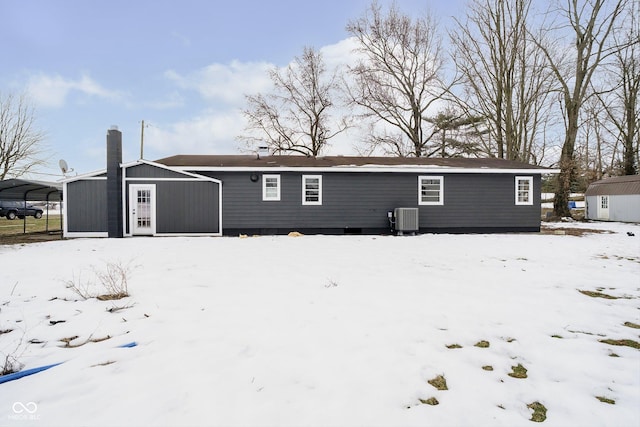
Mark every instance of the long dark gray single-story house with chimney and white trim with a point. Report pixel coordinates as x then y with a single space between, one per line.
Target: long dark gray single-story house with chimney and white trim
251 194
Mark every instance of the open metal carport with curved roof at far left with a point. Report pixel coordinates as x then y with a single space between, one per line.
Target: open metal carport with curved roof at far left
33 191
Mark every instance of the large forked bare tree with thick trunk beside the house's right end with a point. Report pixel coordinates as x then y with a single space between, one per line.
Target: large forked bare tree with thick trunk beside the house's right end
590 24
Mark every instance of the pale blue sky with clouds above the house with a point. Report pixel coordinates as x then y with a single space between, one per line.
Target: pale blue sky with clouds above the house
182 66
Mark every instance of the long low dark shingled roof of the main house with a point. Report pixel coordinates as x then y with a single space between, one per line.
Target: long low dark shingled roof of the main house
235 161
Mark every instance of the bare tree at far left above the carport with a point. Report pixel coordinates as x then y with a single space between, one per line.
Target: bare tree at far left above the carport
20 139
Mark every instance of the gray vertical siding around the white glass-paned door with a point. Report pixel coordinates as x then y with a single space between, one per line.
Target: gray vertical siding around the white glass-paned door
184 206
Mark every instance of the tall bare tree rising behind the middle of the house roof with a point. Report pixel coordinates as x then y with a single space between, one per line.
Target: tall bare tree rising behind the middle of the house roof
398 78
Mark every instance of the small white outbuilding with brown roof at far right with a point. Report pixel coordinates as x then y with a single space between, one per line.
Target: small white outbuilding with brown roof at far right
614 199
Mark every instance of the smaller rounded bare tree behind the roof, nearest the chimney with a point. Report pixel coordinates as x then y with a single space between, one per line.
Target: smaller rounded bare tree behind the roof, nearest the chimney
295 117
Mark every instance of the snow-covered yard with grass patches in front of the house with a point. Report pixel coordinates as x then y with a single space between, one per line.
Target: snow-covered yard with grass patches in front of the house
326 330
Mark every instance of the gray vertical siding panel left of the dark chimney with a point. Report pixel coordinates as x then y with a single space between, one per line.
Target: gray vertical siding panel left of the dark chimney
86 206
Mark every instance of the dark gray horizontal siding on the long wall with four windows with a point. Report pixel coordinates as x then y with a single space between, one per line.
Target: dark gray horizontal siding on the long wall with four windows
362 200
